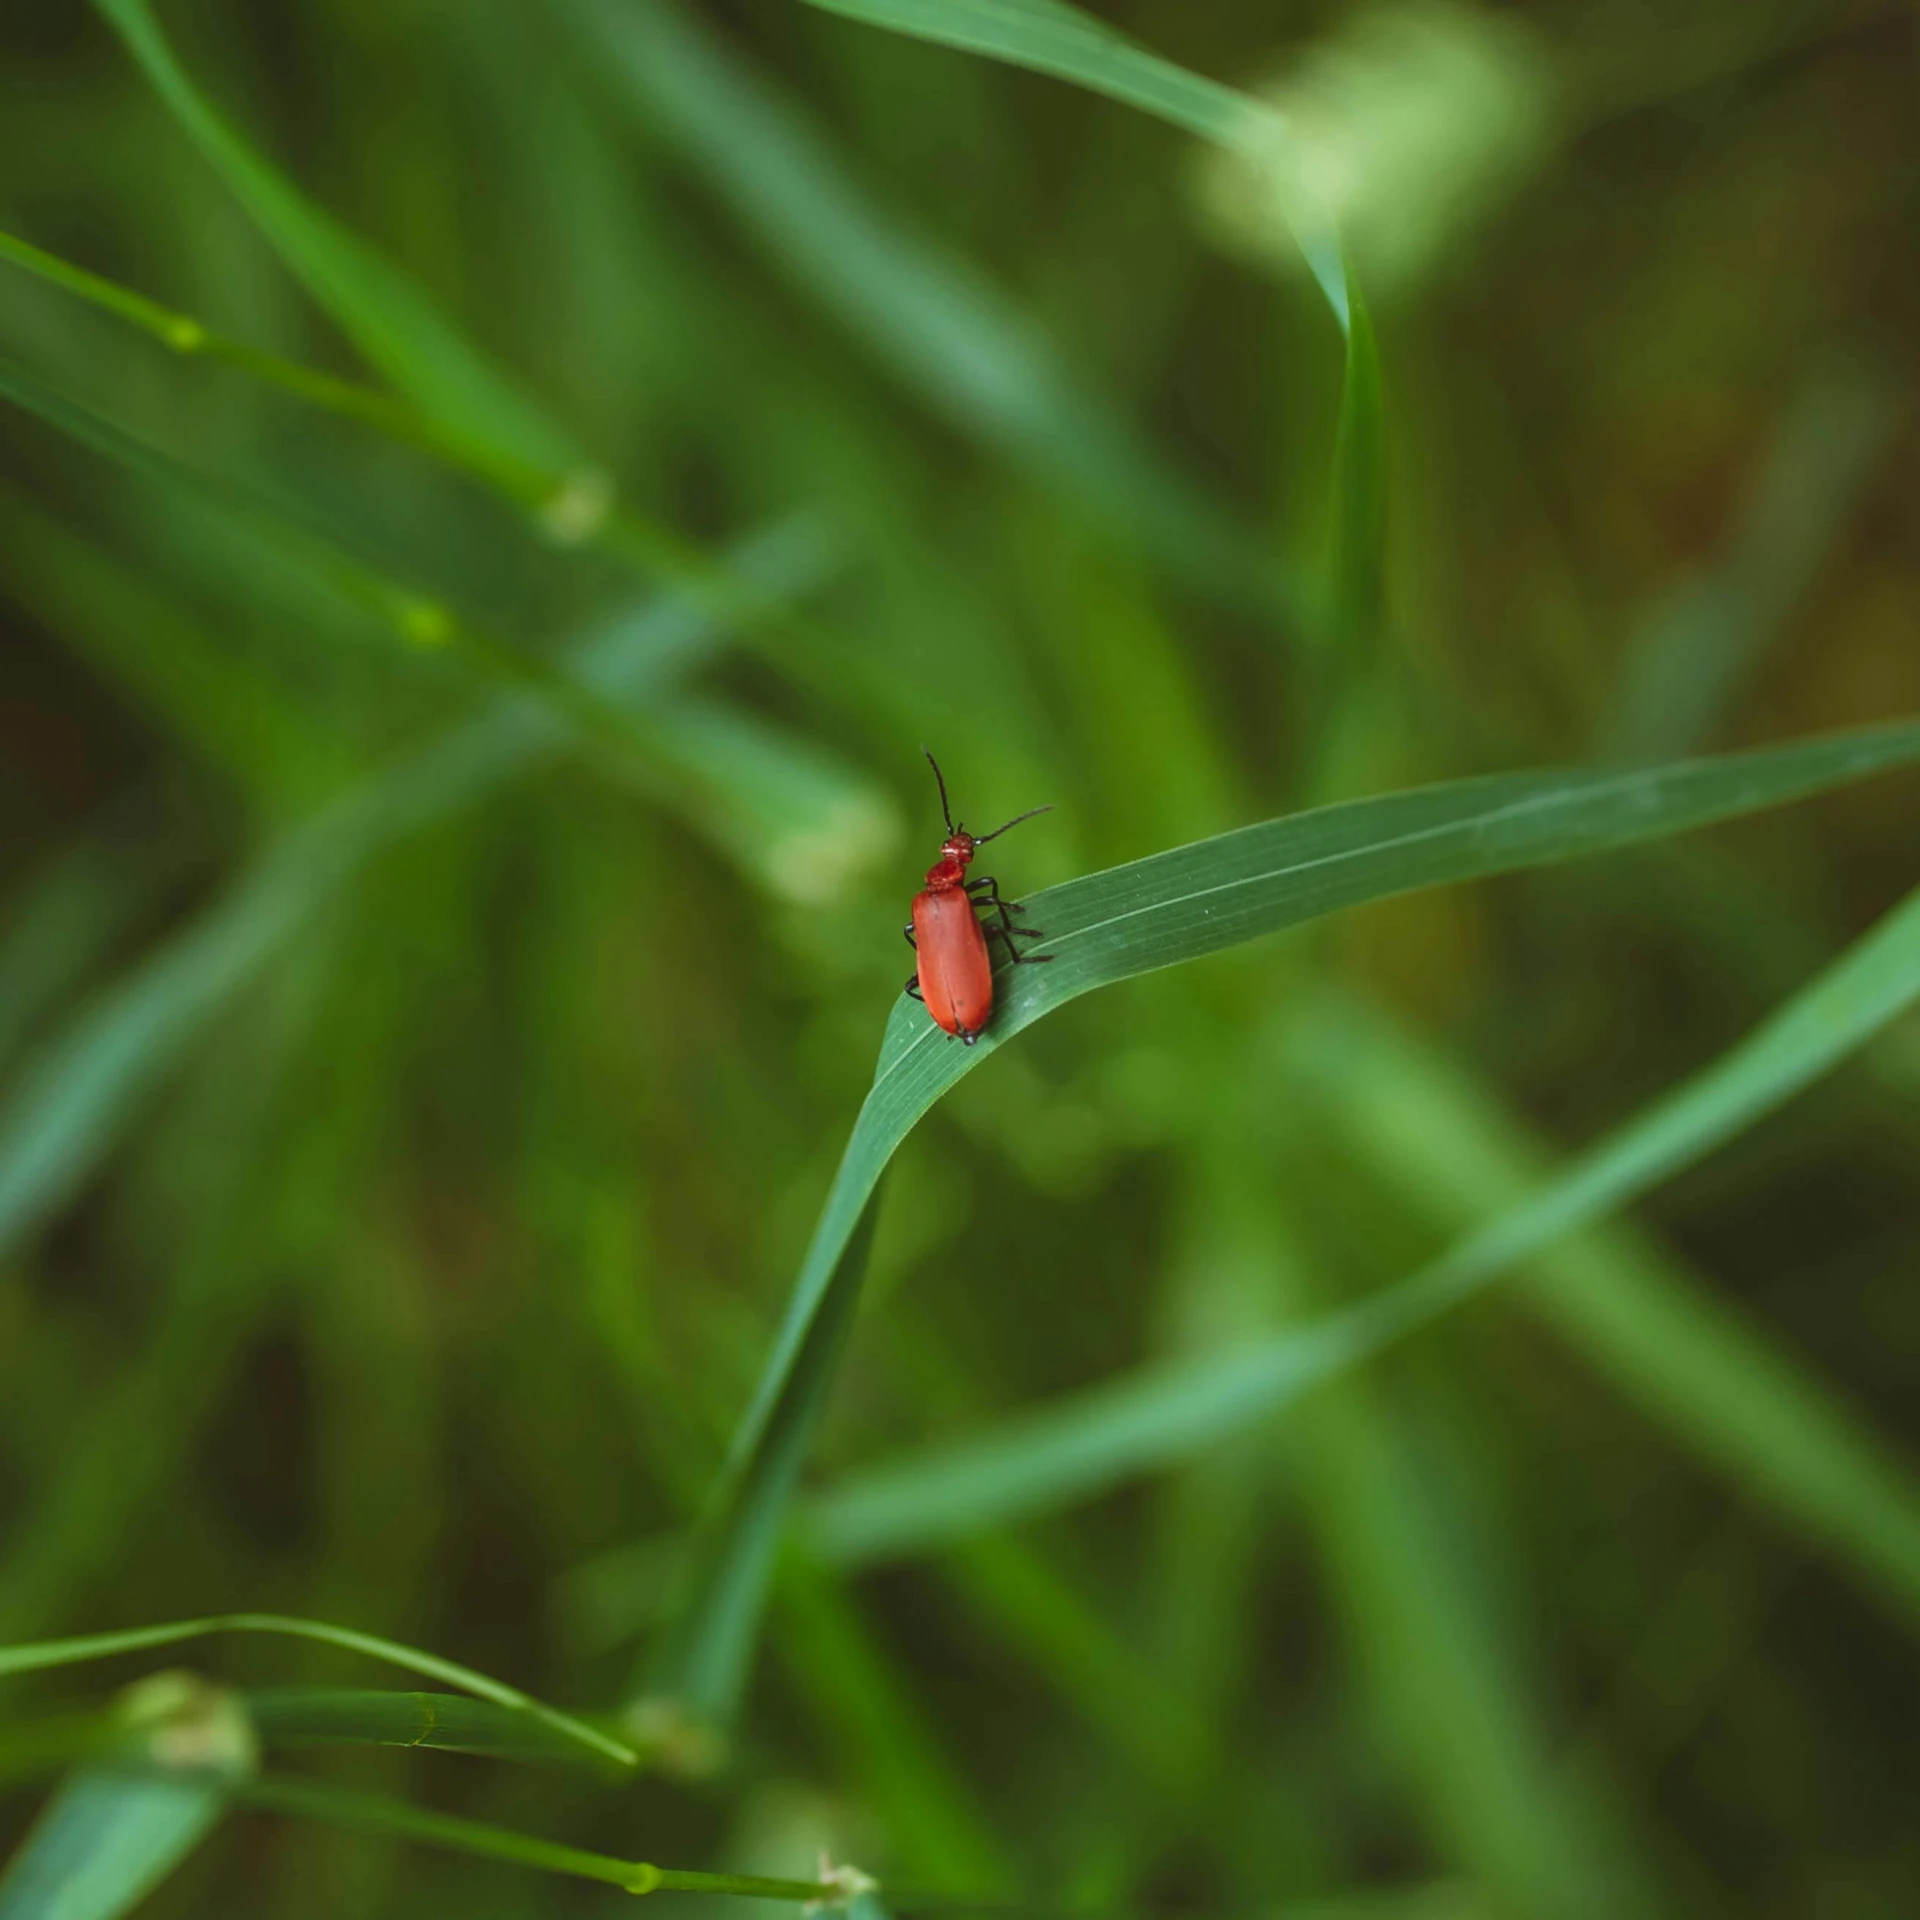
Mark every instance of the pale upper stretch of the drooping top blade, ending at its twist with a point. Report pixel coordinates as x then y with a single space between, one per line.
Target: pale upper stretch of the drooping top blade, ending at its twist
1057 39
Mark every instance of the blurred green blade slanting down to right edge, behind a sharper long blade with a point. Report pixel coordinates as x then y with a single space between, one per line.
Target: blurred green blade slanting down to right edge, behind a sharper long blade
1687 1358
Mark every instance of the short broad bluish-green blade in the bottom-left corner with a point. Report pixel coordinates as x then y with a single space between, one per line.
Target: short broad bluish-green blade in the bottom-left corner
105 1842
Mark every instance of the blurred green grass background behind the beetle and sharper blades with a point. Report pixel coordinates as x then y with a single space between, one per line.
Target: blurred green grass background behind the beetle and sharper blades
462 1097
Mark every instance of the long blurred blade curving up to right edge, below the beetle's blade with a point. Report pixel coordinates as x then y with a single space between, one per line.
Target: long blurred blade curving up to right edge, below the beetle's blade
1136 1426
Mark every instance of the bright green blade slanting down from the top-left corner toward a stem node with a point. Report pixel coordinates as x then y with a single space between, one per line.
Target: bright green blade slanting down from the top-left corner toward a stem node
379 308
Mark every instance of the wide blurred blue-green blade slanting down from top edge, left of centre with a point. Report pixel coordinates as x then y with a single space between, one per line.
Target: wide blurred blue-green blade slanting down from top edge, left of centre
936 324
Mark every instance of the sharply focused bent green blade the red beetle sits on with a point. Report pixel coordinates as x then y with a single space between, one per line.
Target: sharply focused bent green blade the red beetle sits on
1159 913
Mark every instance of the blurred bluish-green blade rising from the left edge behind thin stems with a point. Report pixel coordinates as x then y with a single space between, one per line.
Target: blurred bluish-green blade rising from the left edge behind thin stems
66 1105
